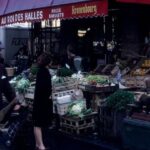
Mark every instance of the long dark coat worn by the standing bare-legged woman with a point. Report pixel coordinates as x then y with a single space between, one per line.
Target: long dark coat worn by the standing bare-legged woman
42 106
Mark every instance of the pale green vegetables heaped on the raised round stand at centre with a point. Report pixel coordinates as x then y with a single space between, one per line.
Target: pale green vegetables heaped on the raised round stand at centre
94 79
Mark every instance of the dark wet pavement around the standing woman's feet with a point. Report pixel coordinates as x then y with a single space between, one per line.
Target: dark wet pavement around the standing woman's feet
56 140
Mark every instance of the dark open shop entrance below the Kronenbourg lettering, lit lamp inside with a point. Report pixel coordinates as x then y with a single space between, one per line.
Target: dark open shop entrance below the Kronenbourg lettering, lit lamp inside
87 36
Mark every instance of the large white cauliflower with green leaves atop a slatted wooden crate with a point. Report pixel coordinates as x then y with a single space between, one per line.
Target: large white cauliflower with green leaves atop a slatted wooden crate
78 109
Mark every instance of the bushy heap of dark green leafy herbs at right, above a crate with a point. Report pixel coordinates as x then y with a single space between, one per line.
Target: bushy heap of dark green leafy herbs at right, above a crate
118 101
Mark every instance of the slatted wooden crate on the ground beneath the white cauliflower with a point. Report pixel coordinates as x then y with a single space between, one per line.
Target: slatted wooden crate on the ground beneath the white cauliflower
78 125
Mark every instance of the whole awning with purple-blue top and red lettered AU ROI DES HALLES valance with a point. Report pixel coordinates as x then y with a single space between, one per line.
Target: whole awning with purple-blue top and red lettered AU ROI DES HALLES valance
38 10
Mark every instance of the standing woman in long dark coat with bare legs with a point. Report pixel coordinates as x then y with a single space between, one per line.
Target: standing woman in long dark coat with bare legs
42 107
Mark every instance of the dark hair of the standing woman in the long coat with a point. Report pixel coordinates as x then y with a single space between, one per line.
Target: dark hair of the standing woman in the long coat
44 59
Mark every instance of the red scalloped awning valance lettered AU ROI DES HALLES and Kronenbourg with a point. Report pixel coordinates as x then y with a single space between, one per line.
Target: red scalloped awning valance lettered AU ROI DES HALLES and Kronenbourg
79 10
